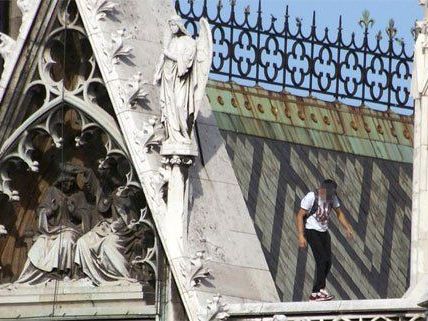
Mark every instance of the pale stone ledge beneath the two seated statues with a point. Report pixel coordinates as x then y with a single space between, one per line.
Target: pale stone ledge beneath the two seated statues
73 300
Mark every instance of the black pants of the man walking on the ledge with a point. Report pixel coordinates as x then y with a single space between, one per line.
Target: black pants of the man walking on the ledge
320 244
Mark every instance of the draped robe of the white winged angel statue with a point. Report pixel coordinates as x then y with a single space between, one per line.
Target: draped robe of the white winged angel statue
177 89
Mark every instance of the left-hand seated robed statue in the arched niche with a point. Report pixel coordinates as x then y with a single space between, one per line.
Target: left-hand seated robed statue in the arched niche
63 215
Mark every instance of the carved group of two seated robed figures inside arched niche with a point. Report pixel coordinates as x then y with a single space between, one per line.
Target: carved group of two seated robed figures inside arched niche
88 233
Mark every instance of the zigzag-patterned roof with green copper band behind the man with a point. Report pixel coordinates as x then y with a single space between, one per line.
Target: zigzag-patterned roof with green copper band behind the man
282 146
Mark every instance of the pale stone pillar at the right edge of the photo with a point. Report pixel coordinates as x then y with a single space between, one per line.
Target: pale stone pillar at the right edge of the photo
419 242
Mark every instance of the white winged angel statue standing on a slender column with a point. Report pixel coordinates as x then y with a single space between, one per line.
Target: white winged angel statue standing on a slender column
182 74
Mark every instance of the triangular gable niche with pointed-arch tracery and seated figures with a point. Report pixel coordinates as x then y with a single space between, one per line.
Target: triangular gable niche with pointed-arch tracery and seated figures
88 220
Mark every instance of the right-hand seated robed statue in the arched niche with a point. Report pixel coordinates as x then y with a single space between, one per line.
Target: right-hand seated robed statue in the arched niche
101 252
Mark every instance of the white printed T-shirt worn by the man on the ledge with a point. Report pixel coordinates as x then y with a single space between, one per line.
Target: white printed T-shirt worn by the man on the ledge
319 220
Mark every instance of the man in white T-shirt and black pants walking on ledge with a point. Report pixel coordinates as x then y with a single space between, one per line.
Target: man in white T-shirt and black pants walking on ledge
312 228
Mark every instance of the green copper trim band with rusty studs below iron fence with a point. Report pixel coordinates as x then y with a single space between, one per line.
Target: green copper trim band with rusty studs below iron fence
312 122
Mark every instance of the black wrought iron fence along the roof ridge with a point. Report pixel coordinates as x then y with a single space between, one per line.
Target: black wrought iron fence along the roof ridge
280 55
